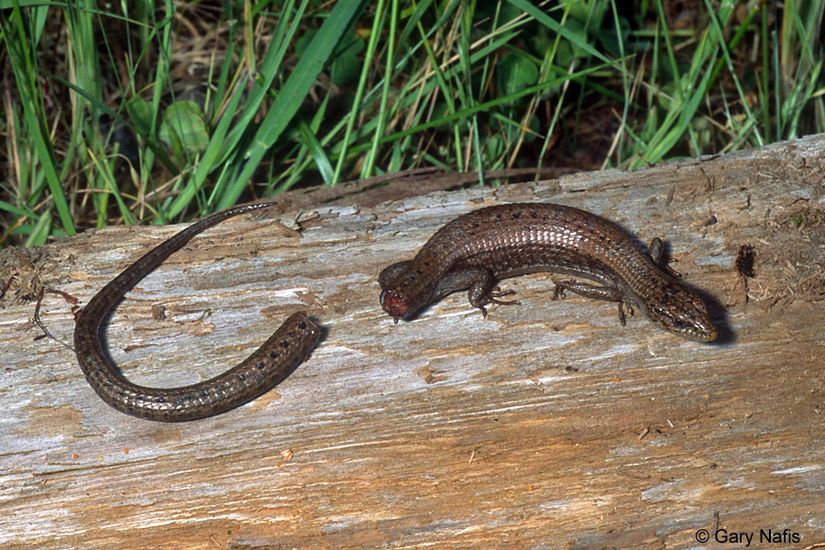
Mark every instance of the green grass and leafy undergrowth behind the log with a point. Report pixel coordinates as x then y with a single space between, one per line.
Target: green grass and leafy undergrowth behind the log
234 101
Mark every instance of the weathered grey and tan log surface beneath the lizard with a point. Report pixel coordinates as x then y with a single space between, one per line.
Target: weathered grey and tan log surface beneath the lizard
546 425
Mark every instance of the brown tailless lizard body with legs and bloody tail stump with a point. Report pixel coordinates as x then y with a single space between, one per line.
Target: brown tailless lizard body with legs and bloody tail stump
478 249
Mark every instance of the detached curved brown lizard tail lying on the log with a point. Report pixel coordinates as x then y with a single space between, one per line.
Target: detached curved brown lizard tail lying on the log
257 374
